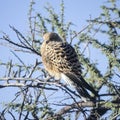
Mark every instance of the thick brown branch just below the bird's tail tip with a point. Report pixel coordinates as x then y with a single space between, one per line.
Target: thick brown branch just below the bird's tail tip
75 106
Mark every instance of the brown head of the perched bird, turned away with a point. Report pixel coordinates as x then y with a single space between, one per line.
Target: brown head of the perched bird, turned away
50 36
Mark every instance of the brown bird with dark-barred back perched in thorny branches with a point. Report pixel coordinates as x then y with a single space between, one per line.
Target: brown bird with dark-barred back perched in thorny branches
61 61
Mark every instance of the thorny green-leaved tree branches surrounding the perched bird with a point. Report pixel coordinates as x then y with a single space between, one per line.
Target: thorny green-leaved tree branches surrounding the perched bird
40 97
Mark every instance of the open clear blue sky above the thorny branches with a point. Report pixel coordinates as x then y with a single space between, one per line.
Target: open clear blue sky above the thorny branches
15 13
